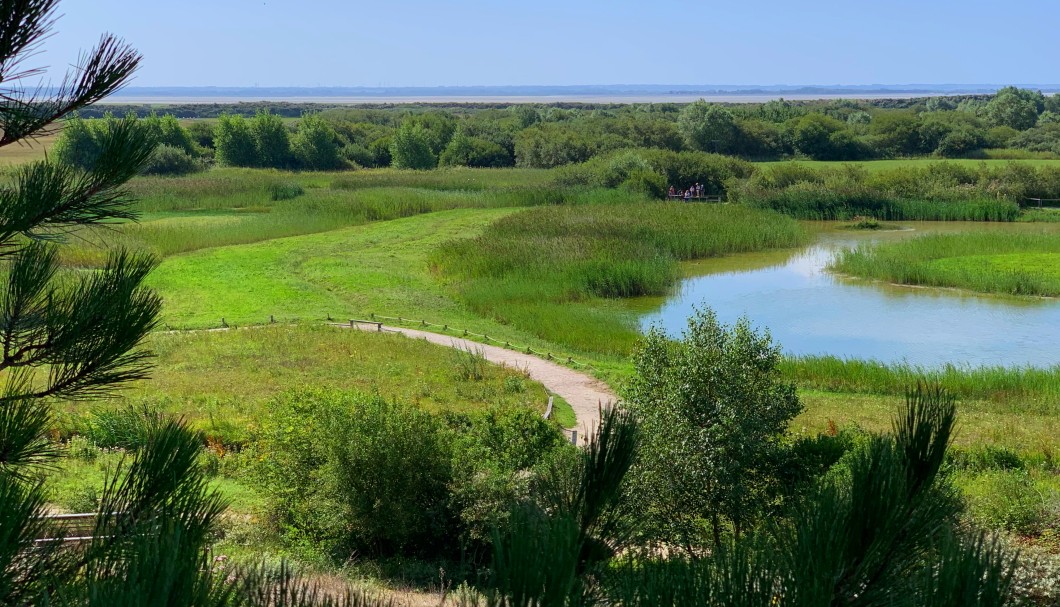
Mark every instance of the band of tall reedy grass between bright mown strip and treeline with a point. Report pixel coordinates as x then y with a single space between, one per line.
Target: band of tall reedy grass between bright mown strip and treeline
238 207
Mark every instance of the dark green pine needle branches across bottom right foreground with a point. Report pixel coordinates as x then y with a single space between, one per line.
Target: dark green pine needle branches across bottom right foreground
882 531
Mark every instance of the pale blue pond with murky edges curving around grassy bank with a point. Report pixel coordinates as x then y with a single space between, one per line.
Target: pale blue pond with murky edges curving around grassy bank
812 312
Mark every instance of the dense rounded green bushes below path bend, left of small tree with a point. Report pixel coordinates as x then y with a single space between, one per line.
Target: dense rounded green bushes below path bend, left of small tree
351 473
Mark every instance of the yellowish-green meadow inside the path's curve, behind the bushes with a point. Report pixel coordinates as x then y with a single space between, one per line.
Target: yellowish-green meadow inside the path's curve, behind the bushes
219 381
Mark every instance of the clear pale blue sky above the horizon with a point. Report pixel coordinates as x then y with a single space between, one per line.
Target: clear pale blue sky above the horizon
416 43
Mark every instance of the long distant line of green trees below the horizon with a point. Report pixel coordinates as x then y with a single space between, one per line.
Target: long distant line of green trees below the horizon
427 136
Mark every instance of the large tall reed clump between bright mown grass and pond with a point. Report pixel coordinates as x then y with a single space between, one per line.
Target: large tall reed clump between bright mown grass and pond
555 271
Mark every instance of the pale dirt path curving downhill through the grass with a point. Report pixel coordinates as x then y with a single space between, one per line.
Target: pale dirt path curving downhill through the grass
585 394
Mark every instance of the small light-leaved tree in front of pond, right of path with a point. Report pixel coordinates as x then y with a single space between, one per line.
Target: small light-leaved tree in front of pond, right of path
714 410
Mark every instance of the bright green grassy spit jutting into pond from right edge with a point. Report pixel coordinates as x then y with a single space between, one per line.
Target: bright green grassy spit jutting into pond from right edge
1015 264
